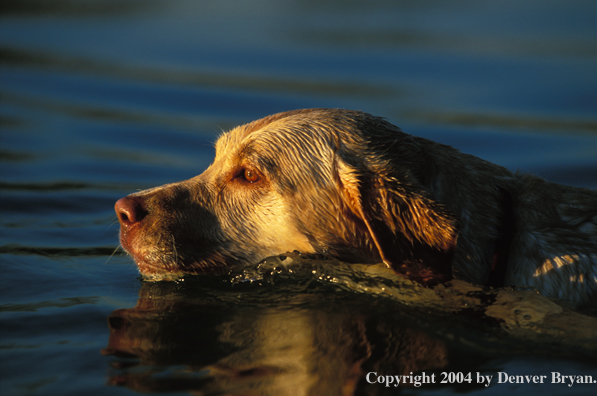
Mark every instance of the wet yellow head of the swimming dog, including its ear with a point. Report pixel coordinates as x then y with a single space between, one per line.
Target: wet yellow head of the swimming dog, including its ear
334 182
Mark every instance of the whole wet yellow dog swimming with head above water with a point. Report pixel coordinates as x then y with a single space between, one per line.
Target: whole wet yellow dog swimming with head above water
355 187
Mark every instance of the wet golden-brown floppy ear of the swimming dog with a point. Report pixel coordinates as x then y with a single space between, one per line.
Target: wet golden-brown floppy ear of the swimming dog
404 223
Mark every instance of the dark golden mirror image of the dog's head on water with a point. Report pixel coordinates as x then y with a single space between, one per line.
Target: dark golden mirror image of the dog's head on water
175 342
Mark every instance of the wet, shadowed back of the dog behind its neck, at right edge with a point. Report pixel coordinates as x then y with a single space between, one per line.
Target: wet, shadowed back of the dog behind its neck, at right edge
554 246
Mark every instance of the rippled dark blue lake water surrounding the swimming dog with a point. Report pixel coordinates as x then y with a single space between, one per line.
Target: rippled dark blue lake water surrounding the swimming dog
101 98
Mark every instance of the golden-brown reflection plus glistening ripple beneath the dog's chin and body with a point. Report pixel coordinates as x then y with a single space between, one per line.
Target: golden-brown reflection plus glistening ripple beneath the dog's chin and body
301 324
